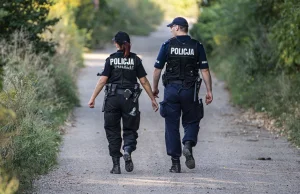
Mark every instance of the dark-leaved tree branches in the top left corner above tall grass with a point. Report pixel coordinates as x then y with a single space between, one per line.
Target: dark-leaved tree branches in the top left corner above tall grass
28 16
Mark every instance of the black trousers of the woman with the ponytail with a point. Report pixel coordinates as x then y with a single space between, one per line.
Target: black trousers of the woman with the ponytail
118 107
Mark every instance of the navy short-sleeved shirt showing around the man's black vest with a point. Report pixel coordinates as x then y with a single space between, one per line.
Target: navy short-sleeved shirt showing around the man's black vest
163 53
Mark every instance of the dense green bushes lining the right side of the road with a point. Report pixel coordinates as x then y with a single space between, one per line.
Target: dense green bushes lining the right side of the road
254 46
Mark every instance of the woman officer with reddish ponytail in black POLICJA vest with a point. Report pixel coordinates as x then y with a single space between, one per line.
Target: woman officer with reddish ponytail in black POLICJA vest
120 74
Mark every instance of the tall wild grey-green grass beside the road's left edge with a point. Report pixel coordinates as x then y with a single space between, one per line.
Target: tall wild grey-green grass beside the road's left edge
41 91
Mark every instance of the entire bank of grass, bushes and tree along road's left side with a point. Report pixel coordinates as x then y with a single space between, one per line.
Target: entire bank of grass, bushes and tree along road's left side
39 88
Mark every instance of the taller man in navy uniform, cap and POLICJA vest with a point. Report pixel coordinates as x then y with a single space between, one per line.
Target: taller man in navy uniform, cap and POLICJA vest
184 57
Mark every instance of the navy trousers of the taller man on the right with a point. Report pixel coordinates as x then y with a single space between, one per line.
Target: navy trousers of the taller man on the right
175 101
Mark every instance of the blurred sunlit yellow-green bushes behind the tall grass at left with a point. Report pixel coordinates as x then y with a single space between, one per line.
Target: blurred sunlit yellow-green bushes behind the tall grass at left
71 44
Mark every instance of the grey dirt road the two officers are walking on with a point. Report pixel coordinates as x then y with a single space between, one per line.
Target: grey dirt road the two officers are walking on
226 154
